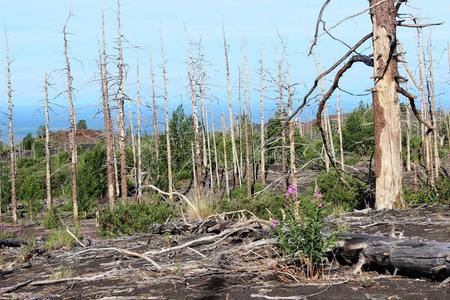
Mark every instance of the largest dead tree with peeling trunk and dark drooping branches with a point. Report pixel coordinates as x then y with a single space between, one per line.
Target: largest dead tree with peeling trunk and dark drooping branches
388 165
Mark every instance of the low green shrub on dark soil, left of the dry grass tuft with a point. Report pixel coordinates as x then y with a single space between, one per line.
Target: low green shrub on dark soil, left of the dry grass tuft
131 218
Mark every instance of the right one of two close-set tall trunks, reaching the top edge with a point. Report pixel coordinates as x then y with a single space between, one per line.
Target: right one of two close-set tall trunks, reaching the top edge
121 116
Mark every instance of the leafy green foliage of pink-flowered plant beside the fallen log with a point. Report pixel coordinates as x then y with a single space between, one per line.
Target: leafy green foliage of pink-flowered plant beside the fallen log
301 236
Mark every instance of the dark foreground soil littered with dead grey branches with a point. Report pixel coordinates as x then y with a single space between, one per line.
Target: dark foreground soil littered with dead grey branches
222 273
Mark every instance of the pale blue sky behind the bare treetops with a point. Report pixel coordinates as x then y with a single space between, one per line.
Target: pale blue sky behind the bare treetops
34 29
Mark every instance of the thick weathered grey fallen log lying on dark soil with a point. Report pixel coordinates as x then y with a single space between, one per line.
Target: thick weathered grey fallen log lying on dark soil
413 258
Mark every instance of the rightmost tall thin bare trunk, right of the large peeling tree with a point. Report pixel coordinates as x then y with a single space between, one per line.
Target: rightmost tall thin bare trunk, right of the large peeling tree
433 115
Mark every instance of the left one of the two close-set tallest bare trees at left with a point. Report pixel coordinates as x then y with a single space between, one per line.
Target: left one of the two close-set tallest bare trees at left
108 132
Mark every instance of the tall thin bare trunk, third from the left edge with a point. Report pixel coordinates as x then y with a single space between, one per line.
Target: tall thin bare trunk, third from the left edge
73 128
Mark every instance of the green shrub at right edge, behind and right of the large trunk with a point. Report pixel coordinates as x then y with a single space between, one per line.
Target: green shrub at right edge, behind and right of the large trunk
428 195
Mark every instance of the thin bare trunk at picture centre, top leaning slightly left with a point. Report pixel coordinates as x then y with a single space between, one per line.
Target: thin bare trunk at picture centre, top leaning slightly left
236 170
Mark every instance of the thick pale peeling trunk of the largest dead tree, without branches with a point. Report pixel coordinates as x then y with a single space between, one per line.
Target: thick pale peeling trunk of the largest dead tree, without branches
388 163
